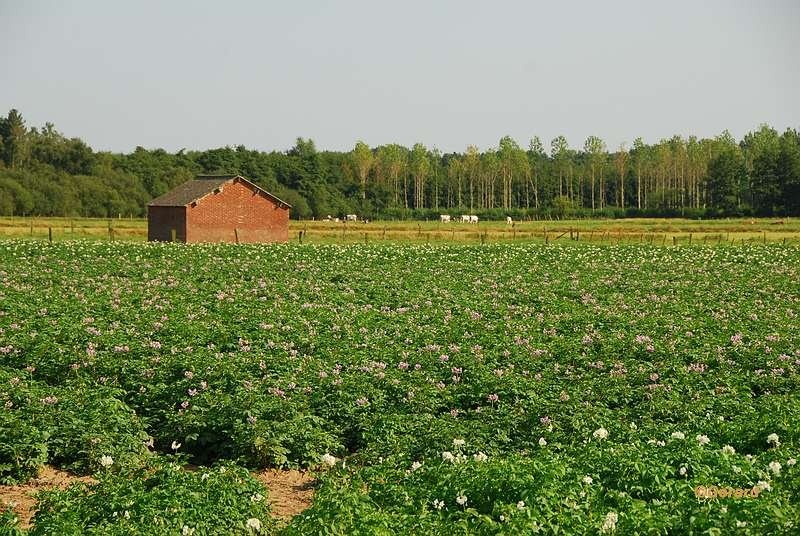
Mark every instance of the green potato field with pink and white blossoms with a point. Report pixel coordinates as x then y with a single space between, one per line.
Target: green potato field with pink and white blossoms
567 388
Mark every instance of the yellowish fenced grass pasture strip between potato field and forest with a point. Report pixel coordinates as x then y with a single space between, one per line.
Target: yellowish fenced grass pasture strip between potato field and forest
629 231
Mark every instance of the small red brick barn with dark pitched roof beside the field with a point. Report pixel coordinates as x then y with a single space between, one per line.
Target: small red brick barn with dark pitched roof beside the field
218 208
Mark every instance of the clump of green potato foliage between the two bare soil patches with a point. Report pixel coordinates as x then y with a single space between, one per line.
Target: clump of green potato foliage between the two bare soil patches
160 499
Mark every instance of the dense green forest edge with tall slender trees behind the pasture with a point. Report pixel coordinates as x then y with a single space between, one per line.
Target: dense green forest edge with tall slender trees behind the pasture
44 173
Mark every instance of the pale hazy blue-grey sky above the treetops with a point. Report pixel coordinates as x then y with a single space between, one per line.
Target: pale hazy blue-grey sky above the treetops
200 74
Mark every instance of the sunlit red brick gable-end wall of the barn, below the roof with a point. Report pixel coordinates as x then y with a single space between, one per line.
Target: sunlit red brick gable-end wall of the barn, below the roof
216 217
